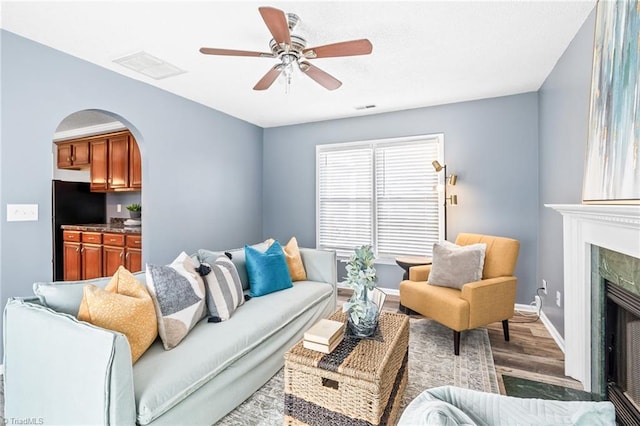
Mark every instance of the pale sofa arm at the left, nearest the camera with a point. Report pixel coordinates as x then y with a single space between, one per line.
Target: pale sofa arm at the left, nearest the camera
64 371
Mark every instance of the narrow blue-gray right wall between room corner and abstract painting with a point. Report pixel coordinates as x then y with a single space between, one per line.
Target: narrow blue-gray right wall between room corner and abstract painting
564 113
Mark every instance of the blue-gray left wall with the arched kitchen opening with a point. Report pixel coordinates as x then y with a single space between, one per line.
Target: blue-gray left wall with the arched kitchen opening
202 169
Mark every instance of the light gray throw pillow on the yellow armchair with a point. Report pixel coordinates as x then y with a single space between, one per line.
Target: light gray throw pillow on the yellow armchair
454 266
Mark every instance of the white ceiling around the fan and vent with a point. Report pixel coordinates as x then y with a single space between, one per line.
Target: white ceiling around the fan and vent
424 53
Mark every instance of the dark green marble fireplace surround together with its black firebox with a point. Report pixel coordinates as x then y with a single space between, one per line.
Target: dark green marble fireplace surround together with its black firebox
615 332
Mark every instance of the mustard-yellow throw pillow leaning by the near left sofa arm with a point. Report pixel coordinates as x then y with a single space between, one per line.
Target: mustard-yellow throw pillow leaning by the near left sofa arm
124 305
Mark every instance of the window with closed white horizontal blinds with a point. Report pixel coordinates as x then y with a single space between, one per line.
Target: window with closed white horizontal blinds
381 193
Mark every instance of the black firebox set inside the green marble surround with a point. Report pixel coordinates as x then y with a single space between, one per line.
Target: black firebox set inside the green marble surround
621 346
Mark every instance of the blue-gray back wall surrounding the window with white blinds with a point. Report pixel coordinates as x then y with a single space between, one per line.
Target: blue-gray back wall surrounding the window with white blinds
491 144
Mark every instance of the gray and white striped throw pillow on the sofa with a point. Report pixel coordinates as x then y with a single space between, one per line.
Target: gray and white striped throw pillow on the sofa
224 289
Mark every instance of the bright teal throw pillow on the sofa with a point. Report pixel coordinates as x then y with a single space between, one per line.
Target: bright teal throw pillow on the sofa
268 272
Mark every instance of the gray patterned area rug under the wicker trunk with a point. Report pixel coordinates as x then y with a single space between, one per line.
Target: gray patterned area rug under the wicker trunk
431 364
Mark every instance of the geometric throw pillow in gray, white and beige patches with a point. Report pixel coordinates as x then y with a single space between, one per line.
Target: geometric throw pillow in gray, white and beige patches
178 294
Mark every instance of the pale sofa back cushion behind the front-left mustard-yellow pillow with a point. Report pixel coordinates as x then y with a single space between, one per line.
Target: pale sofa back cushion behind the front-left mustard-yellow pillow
65 296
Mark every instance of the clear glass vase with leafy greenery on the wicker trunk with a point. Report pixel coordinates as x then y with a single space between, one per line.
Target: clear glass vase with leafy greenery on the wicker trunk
361 277
